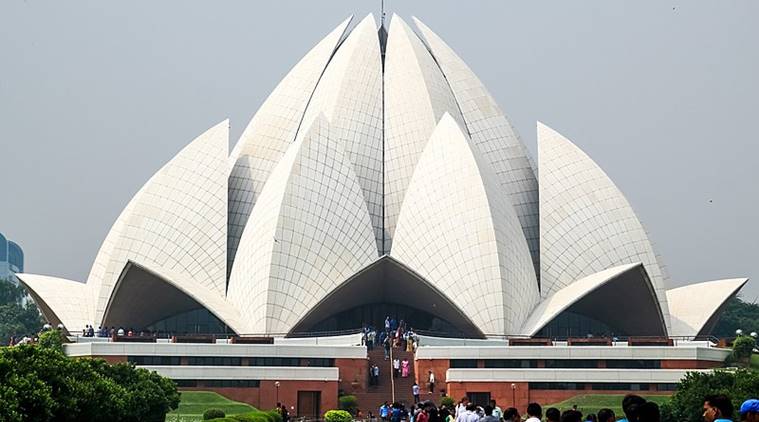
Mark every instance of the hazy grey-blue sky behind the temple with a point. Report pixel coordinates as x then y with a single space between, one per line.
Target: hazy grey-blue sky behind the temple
95 96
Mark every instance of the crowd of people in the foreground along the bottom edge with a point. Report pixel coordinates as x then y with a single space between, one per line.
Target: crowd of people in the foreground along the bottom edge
717 408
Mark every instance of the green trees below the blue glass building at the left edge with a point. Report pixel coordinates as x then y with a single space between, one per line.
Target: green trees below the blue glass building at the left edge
17 318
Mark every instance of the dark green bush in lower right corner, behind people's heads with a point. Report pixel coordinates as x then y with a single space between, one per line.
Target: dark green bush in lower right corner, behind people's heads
686 405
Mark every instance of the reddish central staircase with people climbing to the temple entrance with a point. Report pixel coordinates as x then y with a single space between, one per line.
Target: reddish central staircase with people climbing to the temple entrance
375 395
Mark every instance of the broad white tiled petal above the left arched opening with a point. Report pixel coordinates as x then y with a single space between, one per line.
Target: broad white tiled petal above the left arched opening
177 221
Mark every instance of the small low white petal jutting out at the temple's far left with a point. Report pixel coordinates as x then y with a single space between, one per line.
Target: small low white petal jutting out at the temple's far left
61 301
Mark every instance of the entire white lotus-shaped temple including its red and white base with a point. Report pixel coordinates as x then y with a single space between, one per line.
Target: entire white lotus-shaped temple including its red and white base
380 178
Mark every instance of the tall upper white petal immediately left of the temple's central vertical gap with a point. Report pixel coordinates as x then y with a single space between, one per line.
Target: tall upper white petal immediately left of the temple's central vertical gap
349 94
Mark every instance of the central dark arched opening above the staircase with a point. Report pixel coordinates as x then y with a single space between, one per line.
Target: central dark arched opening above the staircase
387 288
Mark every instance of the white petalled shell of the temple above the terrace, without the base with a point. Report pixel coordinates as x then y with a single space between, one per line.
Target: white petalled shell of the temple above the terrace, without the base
380 177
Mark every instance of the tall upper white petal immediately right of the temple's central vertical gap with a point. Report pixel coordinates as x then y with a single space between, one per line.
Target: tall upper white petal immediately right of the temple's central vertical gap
416 97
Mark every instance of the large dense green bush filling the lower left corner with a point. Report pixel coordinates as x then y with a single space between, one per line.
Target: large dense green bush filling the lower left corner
41 384
